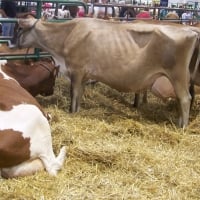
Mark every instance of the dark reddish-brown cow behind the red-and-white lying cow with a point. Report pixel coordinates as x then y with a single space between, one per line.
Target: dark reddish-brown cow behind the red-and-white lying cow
36 77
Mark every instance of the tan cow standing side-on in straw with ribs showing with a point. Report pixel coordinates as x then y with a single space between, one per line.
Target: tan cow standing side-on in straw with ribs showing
129 58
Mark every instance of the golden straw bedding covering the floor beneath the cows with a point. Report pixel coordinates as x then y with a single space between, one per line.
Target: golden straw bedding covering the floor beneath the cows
115 151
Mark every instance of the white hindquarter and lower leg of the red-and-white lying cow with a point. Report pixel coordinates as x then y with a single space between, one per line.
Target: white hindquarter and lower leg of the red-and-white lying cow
29 120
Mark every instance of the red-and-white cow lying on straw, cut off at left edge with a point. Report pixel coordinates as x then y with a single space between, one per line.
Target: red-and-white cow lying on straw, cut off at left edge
25 135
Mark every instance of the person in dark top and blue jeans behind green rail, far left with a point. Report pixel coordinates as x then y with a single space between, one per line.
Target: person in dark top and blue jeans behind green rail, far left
8 10
